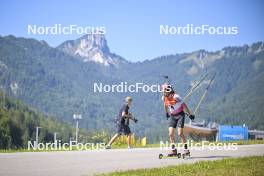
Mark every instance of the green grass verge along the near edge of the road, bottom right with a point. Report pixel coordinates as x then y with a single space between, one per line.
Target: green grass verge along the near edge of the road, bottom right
245 166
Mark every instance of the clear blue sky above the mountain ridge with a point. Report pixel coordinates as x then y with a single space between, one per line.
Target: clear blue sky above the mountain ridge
133 27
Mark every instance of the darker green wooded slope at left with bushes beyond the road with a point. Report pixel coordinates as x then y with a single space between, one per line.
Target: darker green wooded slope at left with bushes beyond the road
18 124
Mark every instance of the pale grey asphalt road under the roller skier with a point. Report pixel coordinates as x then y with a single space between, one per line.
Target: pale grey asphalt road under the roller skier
76 163
